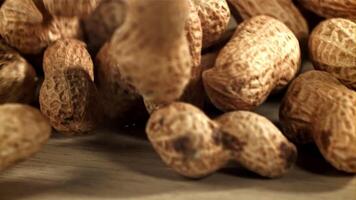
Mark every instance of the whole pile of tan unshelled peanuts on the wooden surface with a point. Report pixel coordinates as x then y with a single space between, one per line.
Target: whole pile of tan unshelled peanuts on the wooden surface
71 66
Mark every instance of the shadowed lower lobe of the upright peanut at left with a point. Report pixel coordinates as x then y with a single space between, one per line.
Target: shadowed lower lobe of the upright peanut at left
69 100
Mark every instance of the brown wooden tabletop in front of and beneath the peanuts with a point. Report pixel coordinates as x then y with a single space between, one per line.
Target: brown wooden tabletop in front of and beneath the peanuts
121 164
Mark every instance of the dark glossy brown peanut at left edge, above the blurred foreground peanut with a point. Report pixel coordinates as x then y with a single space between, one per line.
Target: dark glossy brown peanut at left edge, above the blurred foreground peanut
18 78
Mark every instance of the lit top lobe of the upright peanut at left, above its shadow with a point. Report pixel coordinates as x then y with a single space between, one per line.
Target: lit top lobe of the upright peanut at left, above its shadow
65 54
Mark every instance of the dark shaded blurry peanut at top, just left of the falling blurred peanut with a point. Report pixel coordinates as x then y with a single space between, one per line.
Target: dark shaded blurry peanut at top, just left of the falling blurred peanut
103 22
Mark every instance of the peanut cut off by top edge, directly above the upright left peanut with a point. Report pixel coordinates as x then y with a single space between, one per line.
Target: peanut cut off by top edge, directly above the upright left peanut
70 8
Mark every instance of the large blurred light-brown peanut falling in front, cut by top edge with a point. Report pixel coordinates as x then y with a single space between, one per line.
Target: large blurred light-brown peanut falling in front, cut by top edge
154 56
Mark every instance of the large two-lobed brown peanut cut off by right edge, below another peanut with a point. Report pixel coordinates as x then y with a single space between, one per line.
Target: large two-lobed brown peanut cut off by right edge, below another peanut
318 107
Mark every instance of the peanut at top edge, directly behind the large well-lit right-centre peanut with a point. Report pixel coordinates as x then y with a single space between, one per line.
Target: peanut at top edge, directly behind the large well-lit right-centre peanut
283 10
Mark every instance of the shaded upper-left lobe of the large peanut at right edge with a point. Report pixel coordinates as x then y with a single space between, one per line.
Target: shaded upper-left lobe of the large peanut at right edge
300 104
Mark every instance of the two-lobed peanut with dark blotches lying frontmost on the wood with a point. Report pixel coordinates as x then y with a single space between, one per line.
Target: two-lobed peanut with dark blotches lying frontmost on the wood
195 146
